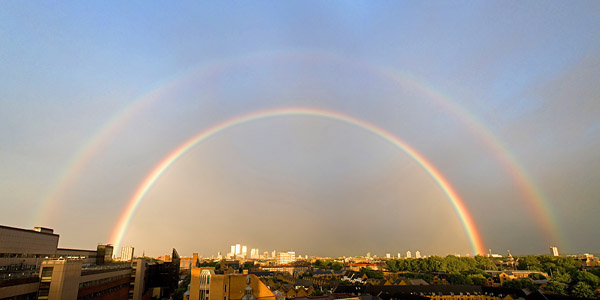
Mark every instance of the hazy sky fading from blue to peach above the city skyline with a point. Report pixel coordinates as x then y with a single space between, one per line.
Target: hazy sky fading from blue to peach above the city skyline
527 72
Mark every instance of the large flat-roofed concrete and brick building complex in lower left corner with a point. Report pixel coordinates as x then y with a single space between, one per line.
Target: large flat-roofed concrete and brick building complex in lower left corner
32 267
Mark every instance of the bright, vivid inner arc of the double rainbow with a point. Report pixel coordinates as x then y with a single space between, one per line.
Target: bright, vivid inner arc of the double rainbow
458 205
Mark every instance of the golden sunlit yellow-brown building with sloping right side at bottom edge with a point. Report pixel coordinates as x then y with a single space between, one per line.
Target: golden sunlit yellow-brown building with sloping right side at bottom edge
206 285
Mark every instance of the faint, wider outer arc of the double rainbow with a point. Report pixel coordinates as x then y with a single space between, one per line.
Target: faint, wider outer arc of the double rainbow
67 177
